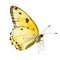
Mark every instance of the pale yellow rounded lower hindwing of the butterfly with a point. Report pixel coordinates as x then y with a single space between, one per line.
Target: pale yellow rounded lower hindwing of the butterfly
22 39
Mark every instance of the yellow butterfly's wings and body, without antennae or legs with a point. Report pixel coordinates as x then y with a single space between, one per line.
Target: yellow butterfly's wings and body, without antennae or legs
25 32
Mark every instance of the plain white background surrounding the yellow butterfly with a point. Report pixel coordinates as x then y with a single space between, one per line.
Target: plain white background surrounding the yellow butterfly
44 13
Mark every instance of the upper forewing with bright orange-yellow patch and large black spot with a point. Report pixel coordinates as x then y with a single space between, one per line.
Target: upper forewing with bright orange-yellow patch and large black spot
22 19
